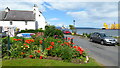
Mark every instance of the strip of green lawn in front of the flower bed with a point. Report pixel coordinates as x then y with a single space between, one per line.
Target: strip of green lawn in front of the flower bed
44 62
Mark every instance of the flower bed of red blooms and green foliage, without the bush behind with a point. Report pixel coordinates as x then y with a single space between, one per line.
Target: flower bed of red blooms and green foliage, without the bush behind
44 48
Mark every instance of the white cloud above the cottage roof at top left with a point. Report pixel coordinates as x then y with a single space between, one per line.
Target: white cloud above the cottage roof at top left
21 4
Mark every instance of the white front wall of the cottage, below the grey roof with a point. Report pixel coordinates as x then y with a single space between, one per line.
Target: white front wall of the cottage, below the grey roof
19 24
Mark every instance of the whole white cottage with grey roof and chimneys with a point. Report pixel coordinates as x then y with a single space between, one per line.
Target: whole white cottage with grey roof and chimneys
22 19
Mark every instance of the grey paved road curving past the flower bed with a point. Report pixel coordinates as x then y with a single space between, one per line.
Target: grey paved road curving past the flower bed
105 55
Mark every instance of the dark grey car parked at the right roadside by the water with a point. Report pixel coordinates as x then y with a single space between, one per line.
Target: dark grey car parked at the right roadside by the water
103 38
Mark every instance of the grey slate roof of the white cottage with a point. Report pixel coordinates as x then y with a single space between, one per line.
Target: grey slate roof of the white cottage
17 15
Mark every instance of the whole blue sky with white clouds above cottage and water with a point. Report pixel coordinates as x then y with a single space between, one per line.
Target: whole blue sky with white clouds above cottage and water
86 13
